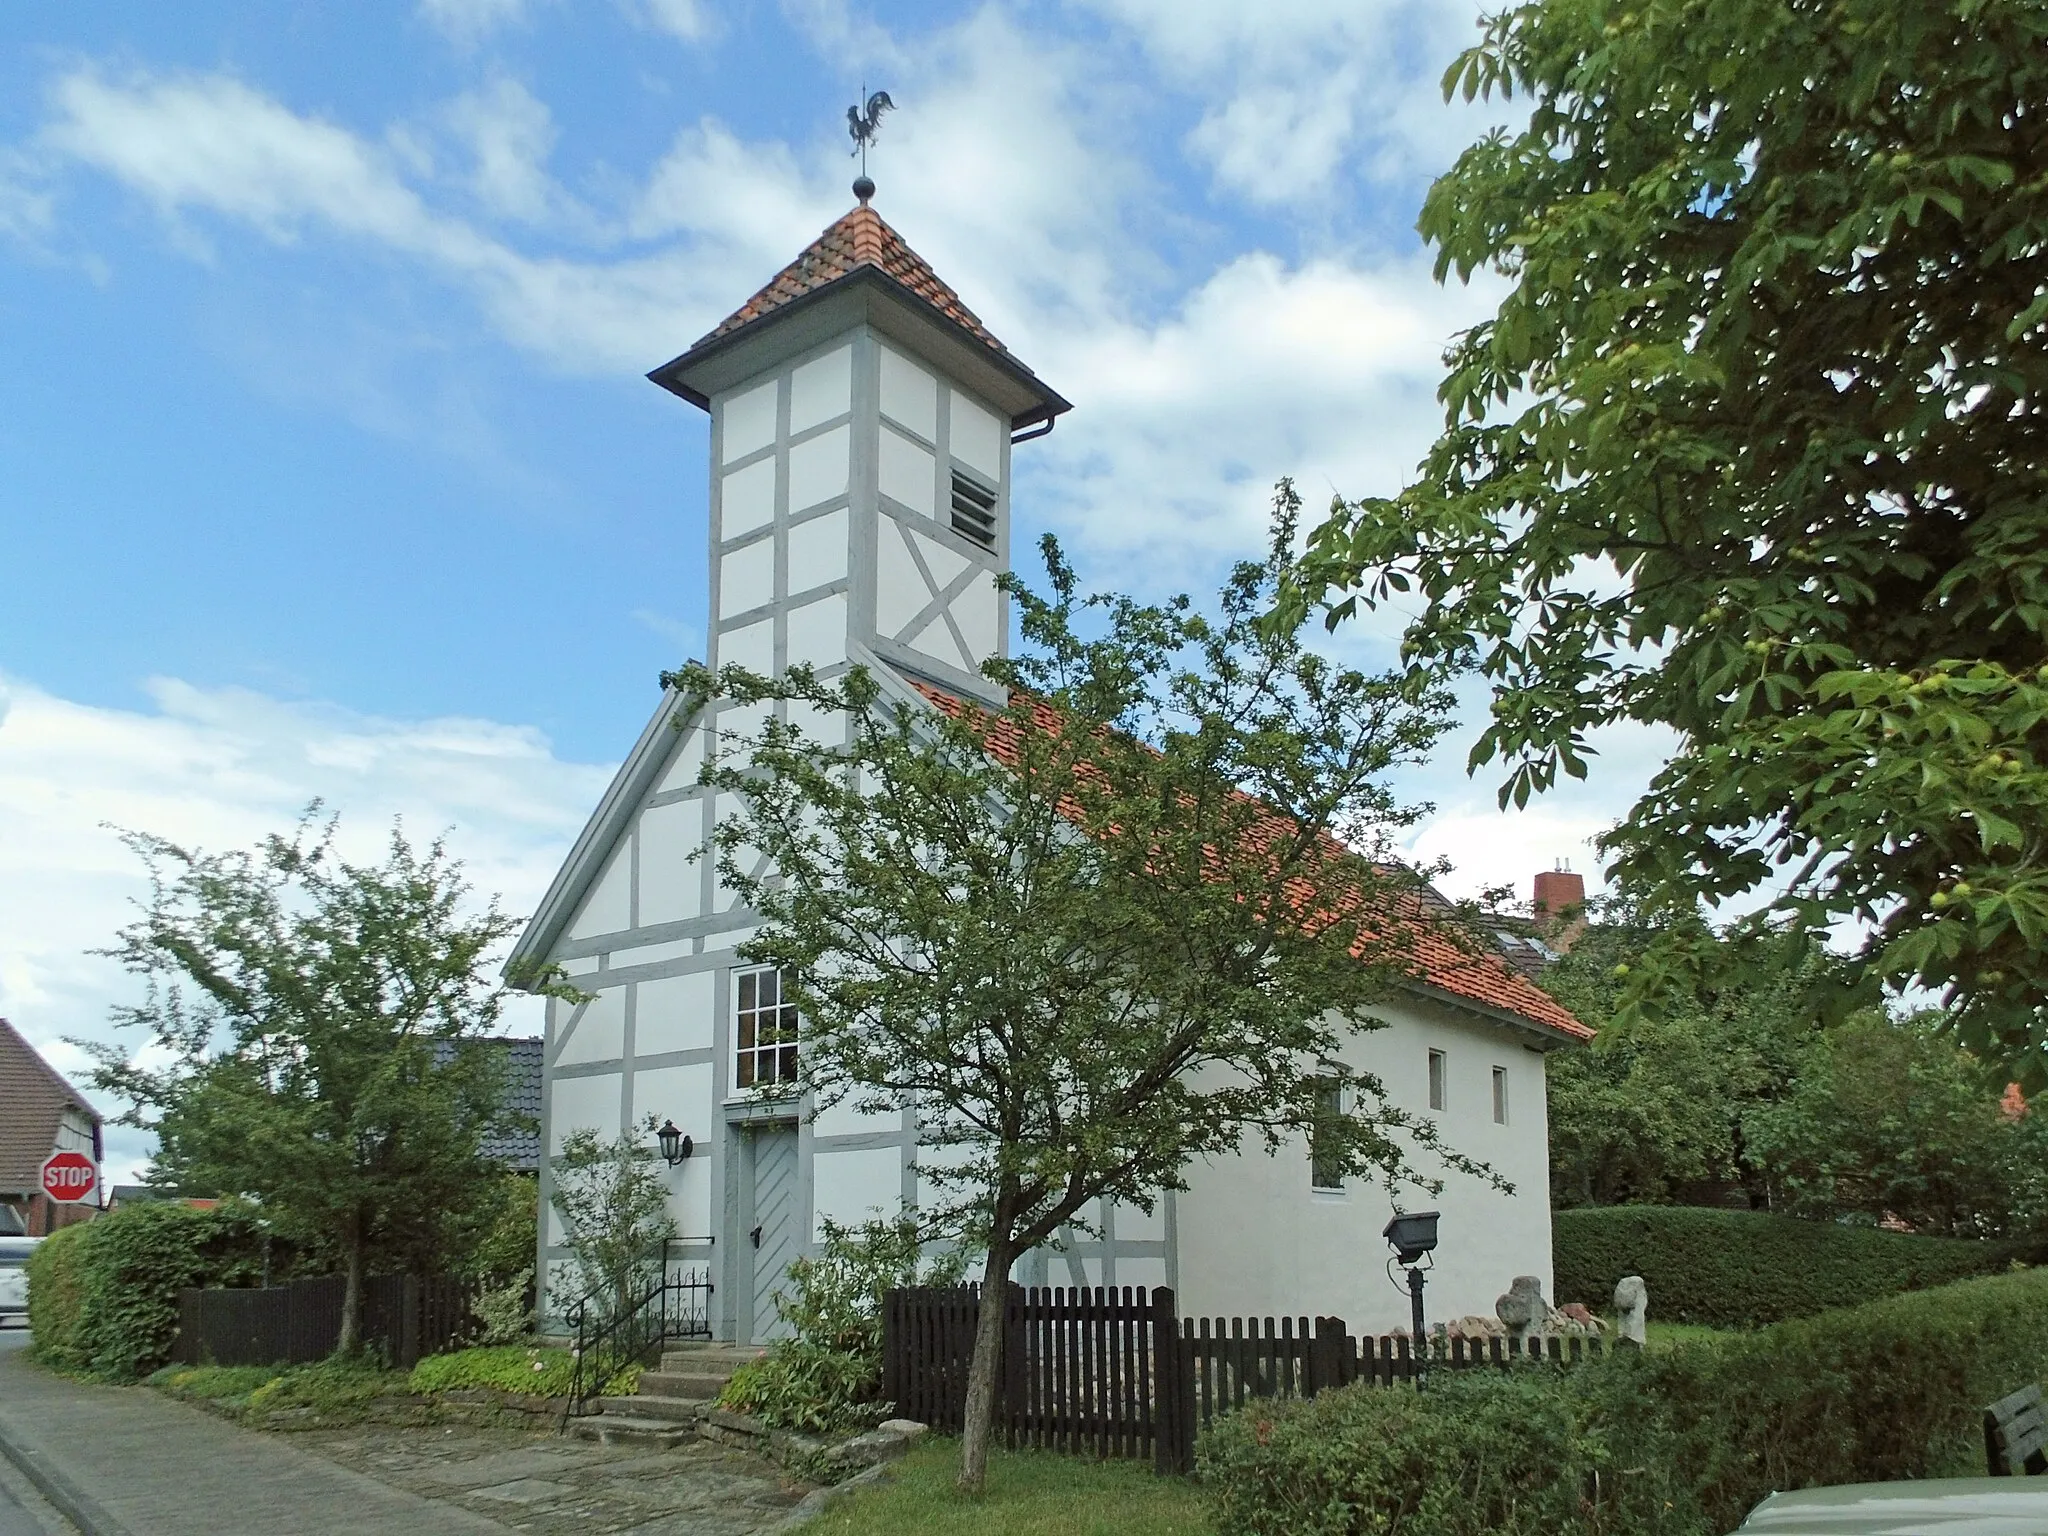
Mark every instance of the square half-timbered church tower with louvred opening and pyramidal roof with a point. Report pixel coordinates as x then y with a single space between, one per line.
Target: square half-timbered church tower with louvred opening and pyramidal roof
861 429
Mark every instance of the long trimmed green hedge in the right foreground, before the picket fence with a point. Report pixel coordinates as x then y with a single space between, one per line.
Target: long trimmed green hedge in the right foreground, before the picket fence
1672 1443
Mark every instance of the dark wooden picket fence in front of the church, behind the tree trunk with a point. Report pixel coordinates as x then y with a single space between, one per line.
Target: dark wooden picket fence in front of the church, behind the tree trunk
1119 1373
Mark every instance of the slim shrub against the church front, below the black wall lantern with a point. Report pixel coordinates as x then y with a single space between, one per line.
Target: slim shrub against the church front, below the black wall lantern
613 1205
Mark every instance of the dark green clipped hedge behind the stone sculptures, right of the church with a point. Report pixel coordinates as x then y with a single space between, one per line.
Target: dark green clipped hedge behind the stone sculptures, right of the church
1738 1269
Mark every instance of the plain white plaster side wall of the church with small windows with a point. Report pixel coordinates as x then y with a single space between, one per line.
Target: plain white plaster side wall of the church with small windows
1256 1240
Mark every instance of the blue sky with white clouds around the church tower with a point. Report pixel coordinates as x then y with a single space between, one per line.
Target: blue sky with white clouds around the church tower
327 462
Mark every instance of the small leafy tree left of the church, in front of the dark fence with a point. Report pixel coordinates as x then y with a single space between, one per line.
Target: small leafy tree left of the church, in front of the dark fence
314 1039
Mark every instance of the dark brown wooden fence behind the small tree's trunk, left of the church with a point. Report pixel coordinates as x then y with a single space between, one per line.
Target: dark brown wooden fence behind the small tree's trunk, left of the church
404 1318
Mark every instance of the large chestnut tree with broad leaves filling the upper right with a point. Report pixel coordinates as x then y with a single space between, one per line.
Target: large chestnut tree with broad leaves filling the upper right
1756 450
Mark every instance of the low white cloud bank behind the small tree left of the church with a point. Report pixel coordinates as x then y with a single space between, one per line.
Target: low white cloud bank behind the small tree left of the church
220 769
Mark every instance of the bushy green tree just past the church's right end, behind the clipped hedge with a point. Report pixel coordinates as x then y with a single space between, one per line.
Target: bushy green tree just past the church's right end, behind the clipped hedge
1664 1103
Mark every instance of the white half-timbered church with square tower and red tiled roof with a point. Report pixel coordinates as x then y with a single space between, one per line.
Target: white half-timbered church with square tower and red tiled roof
861 437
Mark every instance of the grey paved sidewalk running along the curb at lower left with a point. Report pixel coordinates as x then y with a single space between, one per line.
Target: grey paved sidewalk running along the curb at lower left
151 1467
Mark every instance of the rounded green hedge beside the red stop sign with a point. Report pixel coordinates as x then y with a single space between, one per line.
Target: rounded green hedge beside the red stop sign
103 1295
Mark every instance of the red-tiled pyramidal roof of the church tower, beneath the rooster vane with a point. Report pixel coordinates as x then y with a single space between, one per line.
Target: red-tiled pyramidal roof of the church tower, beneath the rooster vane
861 265
